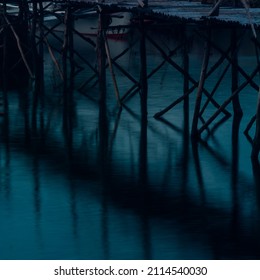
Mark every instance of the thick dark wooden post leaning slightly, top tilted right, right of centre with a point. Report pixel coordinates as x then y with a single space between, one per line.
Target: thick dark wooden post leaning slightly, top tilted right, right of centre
194 131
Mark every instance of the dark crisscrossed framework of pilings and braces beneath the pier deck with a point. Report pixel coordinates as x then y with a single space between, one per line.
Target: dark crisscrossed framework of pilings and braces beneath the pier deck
39 31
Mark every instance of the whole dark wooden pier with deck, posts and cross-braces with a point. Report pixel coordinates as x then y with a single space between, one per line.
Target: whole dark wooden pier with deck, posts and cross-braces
155 16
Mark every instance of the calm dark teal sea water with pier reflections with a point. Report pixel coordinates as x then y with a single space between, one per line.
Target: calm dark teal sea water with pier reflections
102 185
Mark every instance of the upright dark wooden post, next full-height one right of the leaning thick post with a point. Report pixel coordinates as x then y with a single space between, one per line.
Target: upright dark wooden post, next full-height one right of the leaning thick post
236 104
